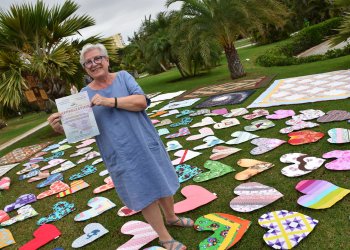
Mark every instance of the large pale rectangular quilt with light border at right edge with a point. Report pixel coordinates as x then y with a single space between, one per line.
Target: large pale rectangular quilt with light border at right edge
311 88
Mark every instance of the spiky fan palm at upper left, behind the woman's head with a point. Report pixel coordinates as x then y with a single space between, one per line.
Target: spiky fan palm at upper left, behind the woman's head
36 43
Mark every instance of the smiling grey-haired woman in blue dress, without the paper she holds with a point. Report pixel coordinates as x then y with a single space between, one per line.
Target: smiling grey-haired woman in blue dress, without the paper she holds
130 146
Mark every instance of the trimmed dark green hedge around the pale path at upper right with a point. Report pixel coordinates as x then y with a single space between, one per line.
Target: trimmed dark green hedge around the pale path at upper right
305 39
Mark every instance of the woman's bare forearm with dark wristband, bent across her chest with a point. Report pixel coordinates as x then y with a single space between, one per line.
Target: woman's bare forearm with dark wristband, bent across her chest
130 103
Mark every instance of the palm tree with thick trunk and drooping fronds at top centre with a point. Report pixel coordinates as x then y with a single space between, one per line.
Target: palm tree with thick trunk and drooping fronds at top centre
227 20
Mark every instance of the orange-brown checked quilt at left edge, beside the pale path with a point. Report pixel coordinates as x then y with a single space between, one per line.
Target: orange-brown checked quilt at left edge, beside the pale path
21 154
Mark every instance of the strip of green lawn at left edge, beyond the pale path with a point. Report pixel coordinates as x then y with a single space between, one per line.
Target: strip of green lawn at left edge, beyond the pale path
17 126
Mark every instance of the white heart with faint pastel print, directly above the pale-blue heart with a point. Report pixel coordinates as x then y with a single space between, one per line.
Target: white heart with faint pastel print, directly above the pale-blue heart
98 206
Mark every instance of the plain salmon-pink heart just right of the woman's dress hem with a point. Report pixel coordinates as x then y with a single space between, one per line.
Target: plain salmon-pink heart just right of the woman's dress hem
196 196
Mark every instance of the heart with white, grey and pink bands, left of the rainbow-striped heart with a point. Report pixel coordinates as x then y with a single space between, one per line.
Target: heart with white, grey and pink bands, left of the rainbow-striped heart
253 196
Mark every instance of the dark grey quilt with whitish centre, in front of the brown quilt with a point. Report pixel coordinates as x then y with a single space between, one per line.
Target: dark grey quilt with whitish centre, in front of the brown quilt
226 99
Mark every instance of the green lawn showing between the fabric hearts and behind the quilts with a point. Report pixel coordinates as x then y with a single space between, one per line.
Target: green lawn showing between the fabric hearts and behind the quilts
331 233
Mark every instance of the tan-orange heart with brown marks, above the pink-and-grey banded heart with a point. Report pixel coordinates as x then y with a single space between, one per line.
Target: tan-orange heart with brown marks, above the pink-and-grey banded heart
254 167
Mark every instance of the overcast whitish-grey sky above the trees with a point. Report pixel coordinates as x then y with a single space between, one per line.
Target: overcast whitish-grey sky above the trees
111 16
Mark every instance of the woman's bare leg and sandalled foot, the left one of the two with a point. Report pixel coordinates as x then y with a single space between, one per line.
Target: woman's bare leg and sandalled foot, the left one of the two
153 216
